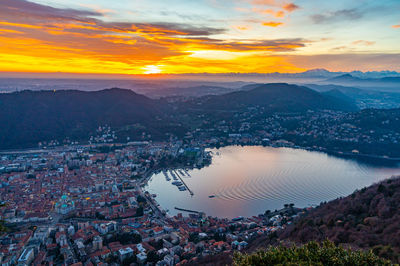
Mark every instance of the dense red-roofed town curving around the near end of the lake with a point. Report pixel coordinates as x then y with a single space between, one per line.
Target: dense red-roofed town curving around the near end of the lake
84 207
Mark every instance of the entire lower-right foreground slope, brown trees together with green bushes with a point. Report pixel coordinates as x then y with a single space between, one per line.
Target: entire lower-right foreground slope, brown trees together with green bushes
360 229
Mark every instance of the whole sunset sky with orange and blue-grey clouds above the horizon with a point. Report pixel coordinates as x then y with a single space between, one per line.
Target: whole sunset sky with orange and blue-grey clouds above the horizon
198 36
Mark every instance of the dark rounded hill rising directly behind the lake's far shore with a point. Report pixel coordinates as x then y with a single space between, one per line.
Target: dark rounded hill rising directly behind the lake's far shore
273 97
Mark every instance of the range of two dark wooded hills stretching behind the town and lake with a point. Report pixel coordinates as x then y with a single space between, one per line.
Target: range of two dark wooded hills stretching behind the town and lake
29 117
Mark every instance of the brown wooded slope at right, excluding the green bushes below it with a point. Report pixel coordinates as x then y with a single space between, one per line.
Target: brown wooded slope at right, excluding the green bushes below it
367 219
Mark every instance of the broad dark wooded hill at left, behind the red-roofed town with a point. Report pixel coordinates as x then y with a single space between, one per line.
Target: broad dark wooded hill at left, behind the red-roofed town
28 117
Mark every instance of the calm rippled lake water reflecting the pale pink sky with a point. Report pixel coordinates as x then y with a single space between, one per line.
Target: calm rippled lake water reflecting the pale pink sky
249 180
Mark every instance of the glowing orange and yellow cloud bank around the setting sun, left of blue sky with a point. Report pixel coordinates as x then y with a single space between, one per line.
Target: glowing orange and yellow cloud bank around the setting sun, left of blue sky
46 39
